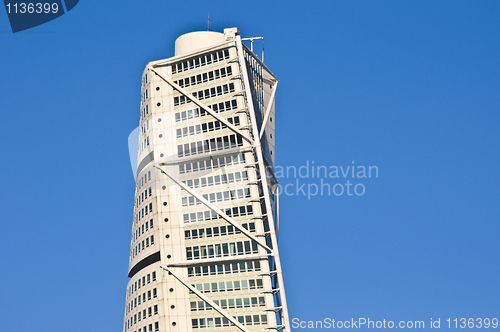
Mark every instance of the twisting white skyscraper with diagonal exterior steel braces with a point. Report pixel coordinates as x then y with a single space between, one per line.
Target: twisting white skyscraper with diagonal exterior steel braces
204 254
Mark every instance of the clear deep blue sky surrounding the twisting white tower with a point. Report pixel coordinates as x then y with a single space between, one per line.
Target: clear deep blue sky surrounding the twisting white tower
411 87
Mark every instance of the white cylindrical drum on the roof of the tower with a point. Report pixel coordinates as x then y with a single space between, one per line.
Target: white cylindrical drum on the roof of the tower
193 41
